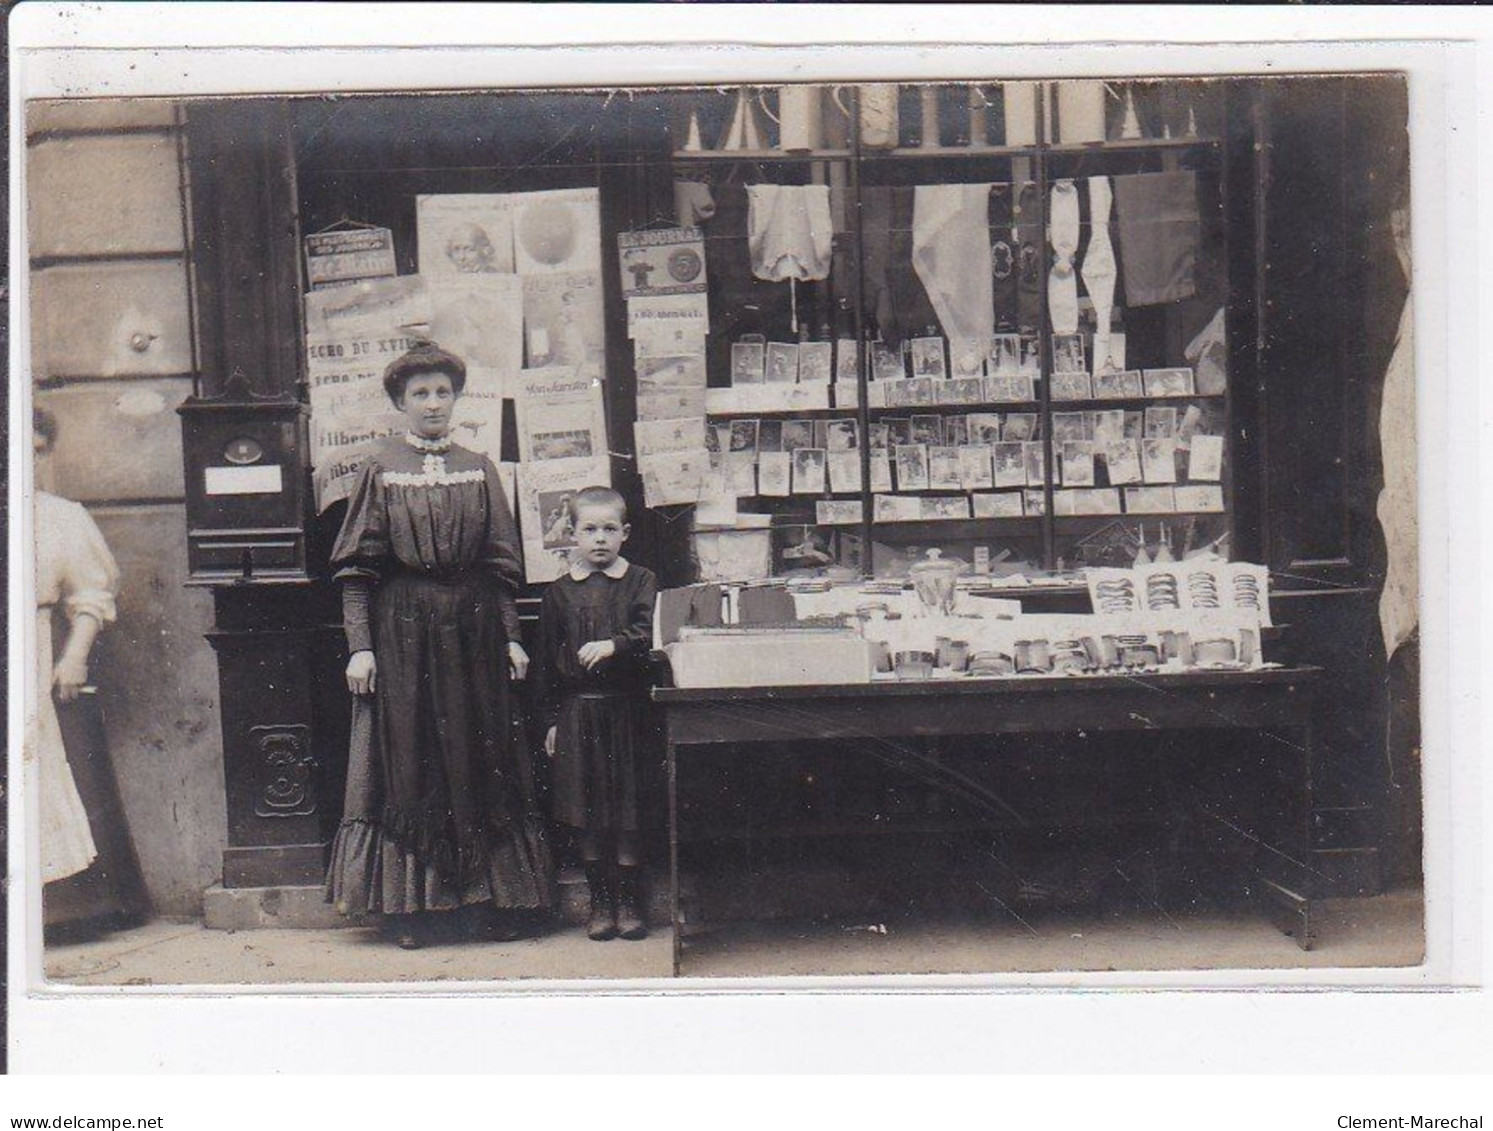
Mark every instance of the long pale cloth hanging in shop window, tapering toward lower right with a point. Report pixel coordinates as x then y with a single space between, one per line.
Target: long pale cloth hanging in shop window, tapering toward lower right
952 257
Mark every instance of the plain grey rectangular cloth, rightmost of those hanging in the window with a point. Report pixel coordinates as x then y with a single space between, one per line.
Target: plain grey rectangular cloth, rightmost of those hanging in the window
1158 236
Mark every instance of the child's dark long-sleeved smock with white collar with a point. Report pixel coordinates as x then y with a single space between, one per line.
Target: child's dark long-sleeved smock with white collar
598 714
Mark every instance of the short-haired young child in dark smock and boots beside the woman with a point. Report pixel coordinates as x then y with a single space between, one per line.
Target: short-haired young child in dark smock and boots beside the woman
595 633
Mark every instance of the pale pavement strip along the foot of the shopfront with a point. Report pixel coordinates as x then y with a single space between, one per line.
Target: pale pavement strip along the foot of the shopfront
1376 932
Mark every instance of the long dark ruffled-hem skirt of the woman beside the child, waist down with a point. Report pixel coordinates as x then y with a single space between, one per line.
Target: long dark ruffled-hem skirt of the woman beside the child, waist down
441 808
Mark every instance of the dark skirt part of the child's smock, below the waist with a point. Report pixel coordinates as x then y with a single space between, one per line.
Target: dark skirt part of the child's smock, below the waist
598 744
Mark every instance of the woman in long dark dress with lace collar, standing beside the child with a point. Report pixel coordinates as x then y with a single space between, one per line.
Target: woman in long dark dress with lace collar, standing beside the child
441 811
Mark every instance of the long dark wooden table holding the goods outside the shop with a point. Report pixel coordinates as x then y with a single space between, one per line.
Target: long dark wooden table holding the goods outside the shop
1274 704
